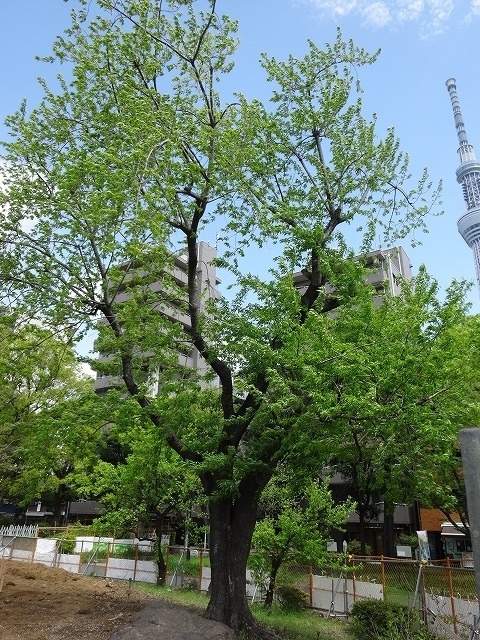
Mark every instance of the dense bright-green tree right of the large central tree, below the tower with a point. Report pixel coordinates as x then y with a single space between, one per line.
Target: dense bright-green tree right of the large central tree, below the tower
398 398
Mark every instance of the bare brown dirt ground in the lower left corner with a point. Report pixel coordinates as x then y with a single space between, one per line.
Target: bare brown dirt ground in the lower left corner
43 603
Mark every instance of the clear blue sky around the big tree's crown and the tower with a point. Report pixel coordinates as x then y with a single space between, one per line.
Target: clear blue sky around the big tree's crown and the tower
423 43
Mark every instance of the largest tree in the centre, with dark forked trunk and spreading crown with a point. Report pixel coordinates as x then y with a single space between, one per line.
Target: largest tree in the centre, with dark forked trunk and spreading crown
135 155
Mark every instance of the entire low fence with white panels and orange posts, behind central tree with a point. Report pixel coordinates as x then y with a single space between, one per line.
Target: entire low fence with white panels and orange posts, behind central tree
442 592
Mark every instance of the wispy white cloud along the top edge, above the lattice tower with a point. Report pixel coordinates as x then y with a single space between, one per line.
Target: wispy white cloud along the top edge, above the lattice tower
432 16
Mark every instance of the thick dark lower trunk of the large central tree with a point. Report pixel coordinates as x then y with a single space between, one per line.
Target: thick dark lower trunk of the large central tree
231 528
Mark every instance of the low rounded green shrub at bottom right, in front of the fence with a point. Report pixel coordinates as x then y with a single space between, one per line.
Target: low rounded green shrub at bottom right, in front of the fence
384 621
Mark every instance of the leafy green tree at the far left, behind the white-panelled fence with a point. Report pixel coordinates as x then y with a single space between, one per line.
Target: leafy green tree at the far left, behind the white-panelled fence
49 423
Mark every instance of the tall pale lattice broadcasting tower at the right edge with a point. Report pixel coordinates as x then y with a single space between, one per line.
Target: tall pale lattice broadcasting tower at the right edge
468 175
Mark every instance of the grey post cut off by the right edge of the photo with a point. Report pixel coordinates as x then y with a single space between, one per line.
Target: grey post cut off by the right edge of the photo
470 448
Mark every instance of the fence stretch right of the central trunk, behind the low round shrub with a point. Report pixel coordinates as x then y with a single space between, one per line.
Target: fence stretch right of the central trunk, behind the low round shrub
442 592
